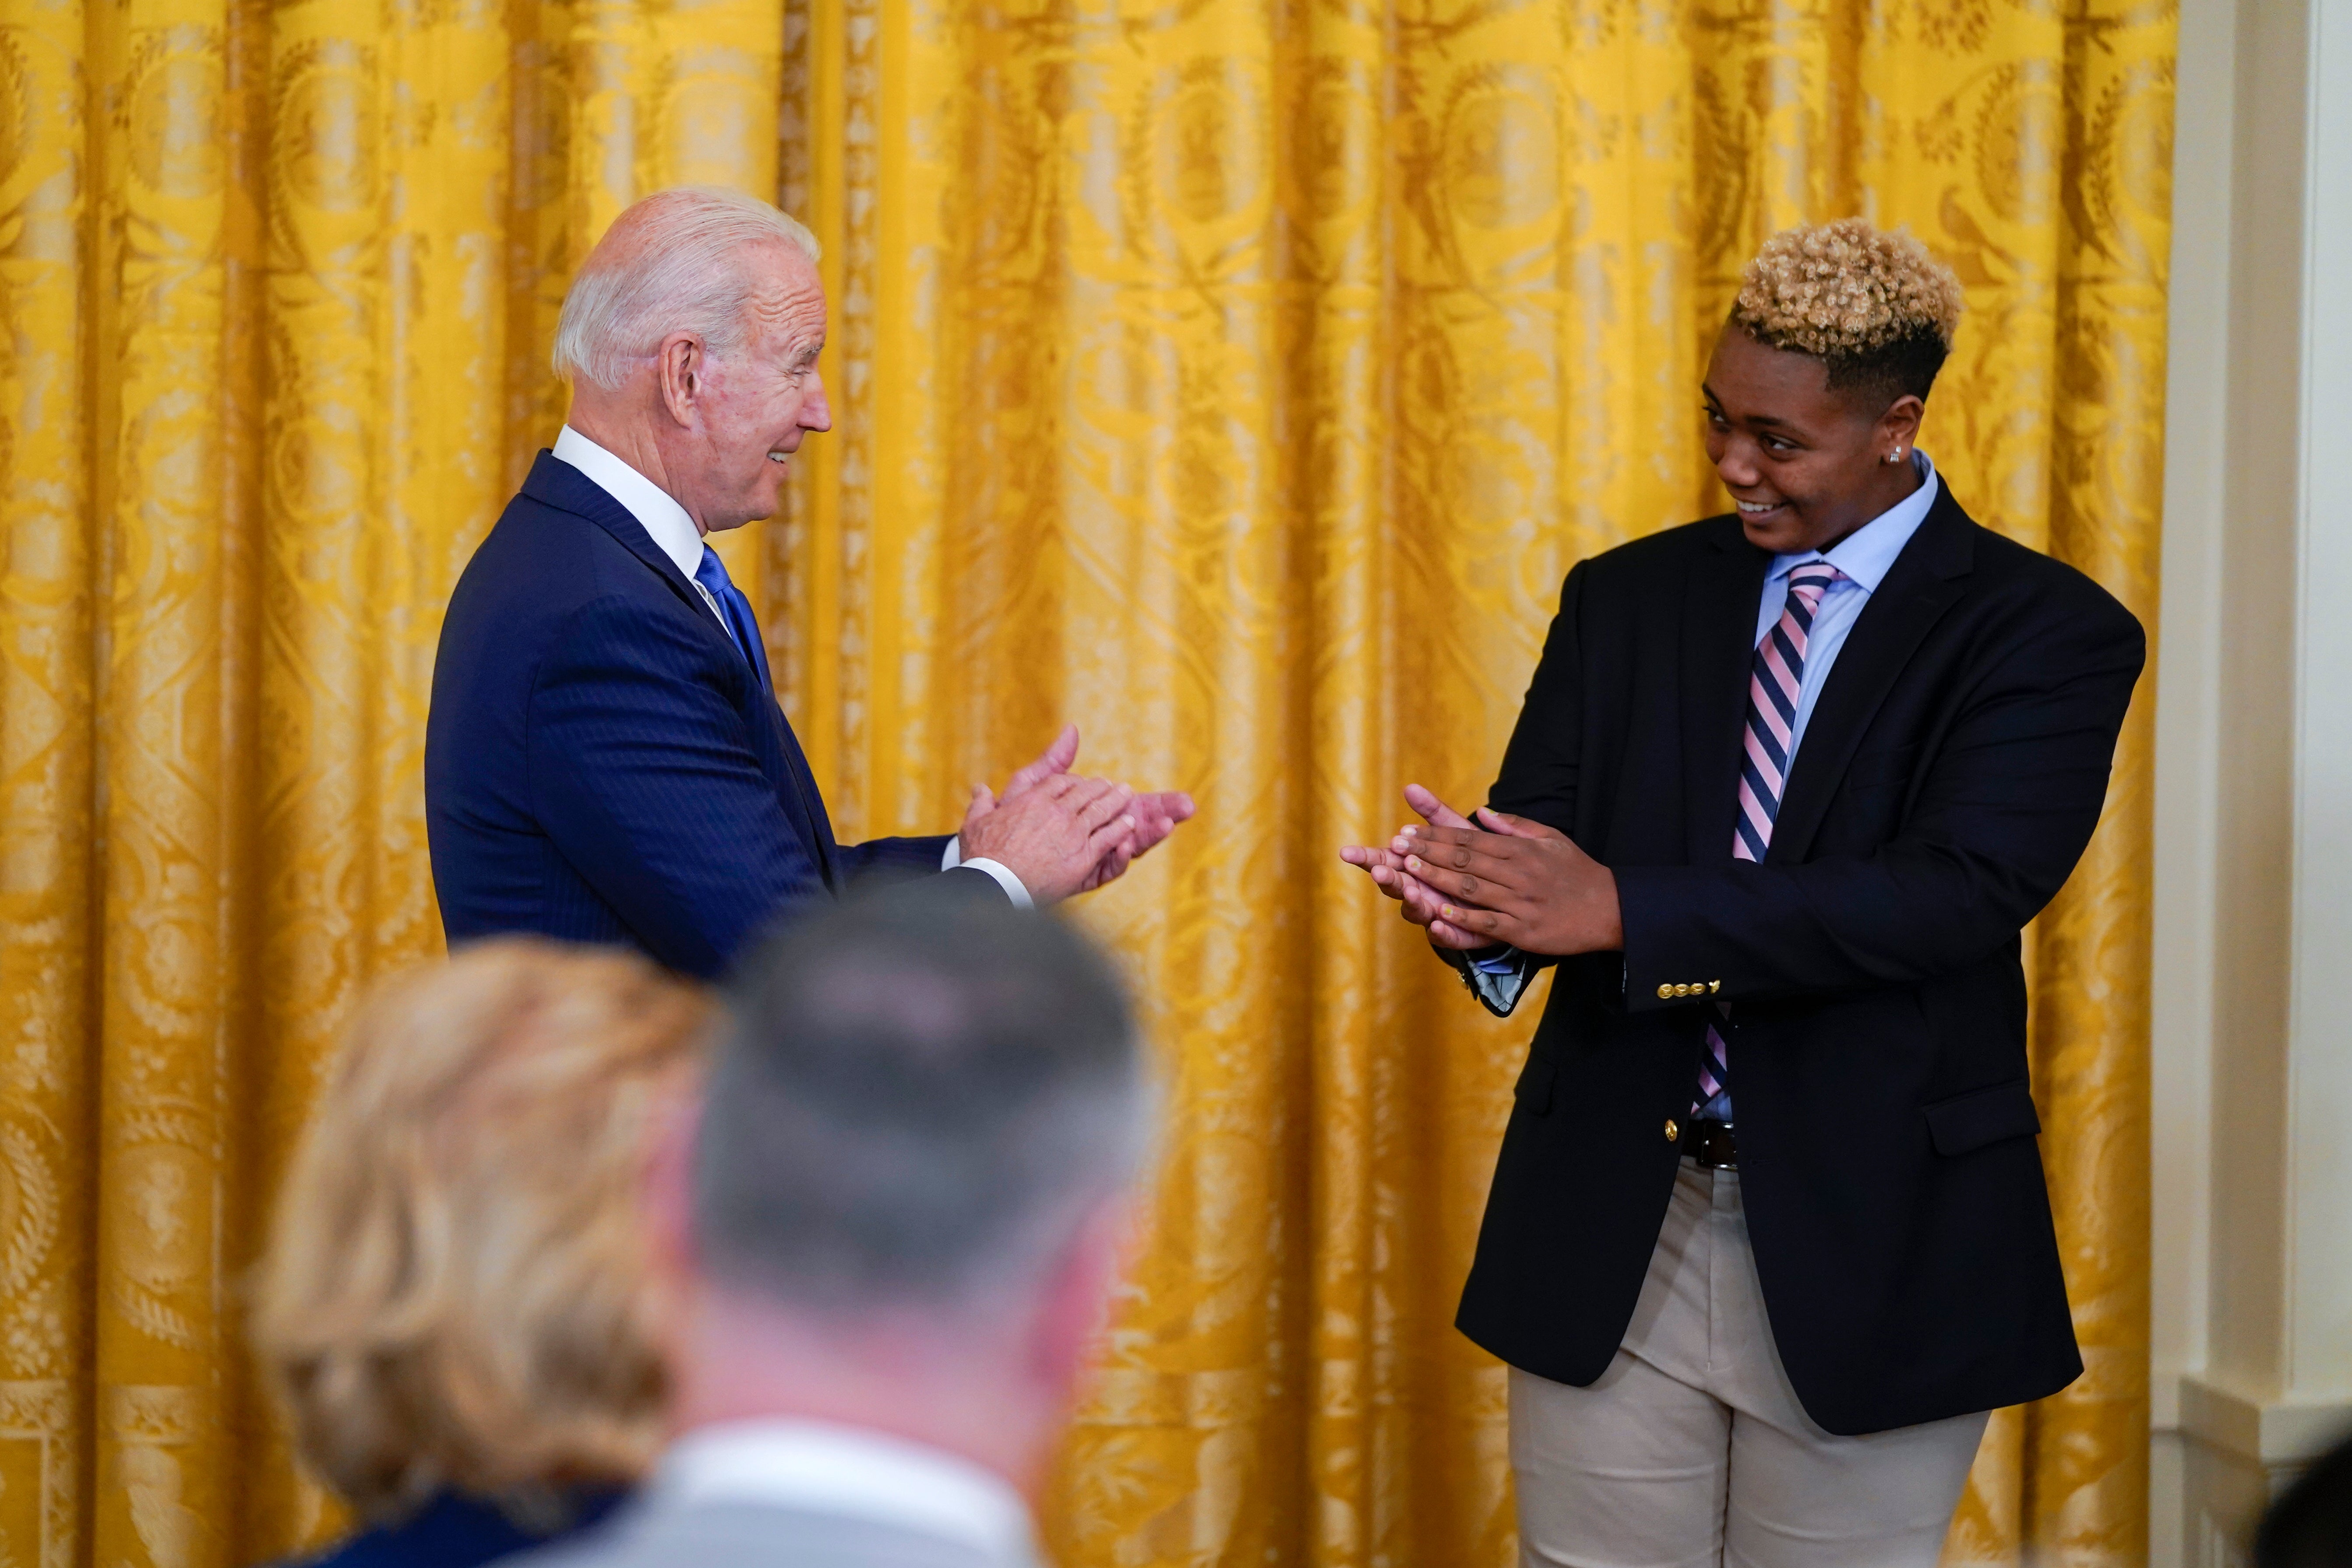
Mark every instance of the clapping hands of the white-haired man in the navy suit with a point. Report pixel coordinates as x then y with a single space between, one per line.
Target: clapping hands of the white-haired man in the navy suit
1064 833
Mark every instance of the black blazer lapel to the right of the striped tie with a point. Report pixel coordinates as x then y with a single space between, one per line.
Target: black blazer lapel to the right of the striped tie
1925 582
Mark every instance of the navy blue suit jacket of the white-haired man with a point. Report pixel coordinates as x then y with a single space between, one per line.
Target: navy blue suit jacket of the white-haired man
603 765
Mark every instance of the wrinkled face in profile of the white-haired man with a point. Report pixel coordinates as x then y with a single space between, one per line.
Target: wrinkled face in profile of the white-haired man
759 401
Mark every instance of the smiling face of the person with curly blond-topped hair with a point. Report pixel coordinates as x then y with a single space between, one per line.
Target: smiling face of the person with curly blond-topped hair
1803 462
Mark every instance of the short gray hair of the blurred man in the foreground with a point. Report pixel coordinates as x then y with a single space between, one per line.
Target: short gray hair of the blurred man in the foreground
916 1106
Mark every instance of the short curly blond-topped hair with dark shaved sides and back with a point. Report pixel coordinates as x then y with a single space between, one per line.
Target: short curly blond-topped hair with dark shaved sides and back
1876 307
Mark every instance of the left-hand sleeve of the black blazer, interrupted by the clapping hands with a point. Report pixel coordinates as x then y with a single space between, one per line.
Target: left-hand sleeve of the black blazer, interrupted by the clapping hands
1537 782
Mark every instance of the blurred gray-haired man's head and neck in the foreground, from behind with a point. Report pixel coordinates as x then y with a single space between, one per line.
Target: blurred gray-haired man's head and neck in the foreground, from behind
907 1198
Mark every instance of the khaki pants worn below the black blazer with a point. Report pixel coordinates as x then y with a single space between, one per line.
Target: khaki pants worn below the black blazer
1692 1449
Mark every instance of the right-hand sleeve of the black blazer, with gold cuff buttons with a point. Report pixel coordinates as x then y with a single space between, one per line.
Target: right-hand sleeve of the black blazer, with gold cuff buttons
2005 810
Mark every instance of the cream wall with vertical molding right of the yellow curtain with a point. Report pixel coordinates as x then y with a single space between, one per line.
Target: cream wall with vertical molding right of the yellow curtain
2252 1043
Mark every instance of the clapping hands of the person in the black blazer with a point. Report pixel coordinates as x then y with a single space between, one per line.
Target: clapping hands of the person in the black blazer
1495 880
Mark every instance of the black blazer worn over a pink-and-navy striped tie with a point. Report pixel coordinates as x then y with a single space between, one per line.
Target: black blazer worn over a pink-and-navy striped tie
1946 789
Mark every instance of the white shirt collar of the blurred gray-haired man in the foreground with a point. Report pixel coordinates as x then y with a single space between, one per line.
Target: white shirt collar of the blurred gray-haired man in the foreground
824 1468
